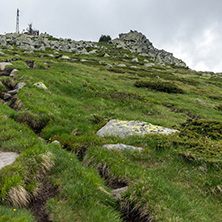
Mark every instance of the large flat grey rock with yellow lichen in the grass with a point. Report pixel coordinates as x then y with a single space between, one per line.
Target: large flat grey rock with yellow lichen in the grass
130 128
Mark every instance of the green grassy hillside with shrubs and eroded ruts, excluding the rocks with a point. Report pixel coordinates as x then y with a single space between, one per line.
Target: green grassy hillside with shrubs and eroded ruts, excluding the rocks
176 178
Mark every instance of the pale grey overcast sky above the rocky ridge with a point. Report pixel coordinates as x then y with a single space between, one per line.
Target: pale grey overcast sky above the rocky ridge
190 29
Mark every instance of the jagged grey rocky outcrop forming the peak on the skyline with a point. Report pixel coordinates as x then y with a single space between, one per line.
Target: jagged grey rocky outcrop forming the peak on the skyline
137 42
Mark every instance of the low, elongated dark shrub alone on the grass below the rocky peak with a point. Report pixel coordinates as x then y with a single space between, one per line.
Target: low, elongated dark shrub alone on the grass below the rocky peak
167 87
